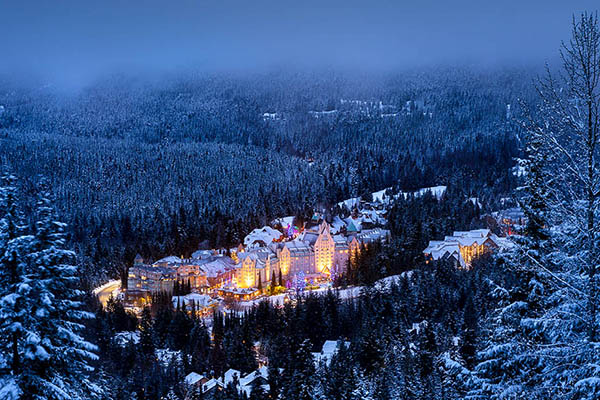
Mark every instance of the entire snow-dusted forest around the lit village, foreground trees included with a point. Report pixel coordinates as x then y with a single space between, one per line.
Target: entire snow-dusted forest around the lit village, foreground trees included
128 165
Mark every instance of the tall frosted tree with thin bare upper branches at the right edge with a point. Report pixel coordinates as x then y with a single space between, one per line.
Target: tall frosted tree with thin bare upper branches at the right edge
571 113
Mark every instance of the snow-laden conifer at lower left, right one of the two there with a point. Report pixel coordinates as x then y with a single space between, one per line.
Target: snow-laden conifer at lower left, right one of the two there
58 356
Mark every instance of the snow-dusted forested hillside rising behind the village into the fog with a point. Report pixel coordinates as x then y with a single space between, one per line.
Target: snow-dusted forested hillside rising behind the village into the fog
161 168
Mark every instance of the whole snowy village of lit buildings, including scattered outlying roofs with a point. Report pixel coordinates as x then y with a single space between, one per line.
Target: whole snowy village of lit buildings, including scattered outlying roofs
280 263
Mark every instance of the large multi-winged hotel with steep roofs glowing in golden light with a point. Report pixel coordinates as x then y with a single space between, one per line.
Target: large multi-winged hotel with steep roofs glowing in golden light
317 253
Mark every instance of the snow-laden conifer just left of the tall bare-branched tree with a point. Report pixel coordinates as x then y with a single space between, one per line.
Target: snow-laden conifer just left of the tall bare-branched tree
509 363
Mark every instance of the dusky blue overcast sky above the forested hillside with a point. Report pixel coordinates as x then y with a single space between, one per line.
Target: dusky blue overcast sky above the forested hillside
76 40
